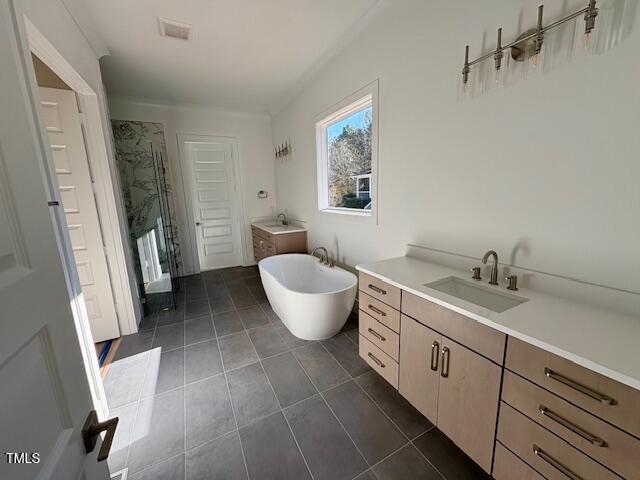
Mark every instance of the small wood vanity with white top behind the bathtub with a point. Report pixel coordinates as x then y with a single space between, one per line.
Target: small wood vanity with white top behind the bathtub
268 241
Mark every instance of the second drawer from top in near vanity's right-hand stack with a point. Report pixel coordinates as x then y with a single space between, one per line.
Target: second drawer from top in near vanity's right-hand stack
610 446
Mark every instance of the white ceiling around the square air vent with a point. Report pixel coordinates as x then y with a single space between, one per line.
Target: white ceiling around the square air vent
244 54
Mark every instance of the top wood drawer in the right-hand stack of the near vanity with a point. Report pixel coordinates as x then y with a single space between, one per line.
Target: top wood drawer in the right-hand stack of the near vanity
612 401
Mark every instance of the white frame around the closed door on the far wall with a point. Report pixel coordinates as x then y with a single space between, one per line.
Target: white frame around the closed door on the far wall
186 191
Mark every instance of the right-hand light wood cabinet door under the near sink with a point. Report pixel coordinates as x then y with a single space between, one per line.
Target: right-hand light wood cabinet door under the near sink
468 401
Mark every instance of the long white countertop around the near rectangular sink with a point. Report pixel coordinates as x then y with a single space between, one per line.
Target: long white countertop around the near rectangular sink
601 340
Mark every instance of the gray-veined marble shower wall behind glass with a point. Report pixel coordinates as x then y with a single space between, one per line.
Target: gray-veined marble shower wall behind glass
147 197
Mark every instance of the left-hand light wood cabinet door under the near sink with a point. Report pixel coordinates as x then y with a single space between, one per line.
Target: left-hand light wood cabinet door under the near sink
419 366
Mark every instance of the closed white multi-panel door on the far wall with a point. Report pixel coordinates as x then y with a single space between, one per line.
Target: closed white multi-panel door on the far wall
214 201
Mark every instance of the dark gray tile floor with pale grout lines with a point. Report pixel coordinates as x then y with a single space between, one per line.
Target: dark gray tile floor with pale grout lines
220 389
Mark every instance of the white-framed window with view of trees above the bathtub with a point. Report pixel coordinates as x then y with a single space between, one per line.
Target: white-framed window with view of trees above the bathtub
347 156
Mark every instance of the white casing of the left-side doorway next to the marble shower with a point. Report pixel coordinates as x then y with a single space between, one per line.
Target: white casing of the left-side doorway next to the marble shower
98 157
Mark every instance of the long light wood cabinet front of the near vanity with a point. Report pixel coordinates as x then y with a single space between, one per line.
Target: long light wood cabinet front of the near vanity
518 411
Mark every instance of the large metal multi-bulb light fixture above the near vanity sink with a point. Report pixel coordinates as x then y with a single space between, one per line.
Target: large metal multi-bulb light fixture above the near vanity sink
528 46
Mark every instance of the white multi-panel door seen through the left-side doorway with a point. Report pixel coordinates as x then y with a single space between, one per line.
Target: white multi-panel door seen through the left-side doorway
62 121
